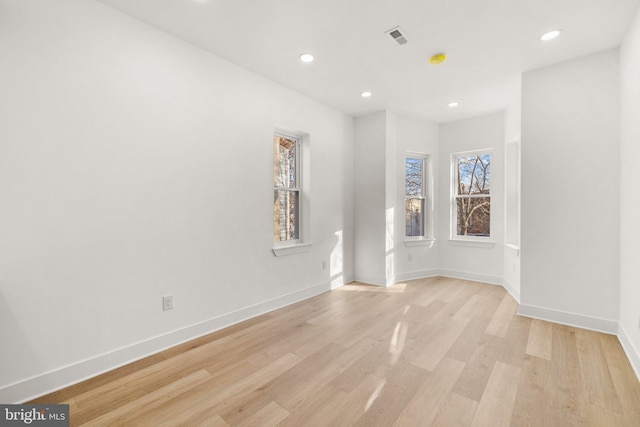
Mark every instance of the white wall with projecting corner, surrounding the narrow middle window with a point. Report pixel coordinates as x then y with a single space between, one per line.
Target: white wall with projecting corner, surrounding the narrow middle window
382 142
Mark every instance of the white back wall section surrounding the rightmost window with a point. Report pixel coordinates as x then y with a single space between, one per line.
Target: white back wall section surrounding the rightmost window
467 260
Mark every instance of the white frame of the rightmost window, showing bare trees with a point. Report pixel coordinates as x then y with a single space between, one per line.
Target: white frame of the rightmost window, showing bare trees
454 237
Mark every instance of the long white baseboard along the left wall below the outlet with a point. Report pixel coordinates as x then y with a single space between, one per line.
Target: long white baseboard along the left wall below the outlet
31 388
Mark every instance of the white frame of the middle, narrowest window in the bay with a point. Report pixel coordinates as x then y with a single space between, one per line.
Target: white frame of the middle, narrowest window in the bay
427 190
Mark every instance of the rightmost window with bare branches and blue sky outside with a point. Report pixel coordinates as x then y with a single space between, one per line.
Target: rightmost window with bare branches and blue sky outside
472 195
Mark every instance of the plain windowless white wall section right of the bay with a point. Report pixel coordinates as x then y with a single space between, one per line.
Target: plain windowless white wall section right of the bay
570 192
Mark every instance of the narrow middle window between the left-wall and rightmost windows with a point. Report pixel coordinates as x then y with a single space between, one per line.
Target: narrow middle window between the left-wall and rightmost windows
415 200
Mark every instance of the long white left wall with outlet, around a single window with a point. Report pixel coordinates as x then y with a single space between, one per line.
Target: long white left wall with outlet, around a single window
134 165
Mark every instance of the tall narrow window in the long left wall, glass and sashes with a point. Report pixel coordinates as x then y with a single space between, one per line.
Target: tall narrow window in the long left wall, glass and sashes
286 188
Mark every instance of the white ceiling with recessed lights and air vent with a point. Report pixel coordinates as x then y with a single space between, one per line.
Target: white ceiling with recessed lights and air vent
489 43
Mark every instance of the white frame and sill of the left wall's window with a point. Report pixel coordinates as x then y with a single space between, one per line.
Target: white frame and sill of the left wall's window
303 242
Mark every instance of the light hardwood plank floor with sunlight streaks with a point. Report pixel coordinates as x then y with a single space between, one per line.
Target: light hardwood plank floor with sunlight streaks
432 352
